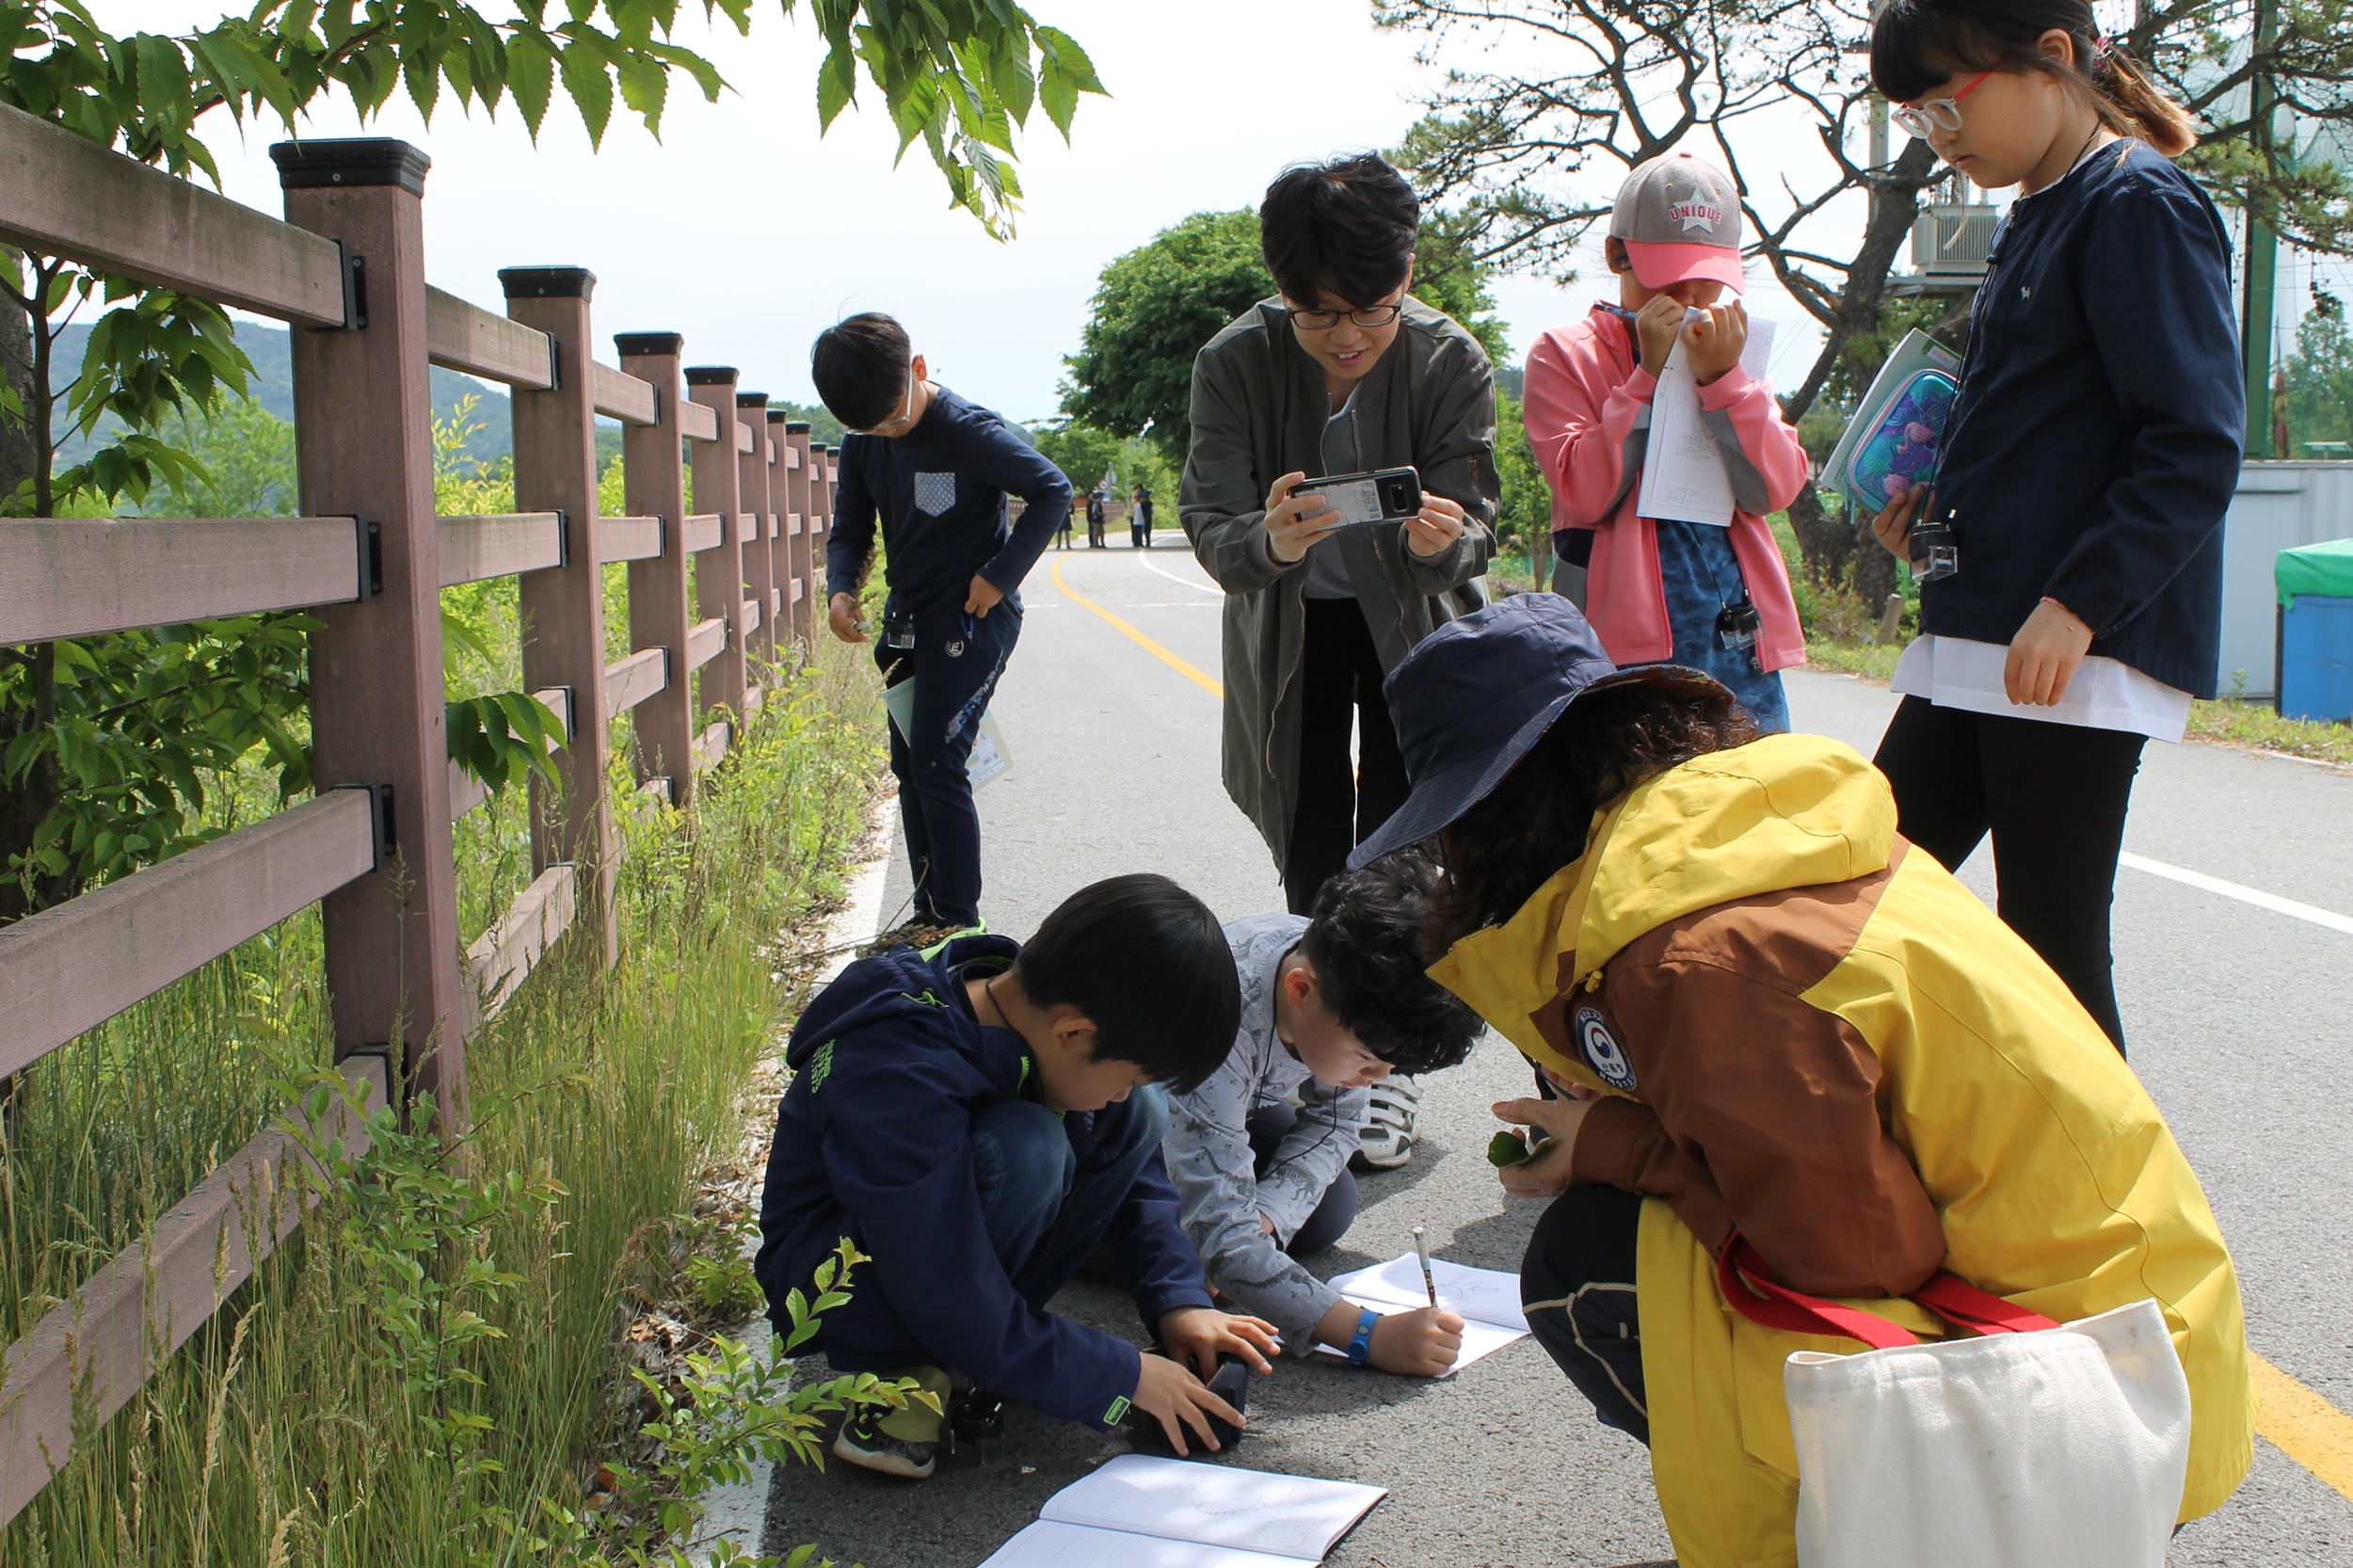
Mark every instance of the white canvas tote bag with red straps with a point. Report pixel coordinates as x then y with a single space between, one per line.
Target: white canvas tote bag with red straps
2027 1447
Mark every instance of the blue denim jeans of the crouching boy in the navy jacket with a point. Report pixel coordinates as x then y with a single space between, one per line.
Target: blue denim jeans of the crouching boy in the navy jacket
1044 1204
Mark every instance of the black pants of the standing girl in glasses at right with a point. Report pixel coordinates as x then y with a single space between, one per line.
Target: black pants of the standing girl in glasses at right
2055 802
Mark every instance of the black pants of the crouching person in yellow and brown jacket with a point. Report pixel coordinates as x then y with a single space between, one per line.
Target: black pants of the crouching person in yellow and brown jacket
1580 1303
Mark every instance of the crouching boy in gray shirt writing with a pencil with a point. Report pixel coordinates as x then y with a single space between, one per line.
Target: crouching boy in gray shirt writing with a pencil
1331 1006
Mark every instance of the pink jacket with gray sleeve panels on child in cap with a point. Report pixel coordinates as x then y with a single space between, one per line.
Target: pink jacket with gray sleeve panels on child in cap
1582 397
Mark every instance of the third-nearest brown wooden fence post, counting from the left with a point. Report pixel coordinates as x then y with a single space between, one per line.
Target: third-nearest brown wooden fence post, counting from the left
655 479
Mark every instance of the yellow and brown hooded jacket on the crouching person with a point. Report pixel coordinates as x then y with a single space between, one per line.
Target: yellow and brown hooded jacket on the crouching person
1811 1032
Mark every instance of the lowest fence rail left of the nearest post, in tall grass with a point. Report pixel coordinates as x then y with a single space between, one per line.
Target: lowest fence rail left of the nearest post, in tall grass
88 1357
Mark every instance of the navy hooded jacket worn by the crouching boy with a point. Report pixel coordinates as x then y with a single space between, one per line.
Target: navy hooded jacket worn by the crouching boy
874 1141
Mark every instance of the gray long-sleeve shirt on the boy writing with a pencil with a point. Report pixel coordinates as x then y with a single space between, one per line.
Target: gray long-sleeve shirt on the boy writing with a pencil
1208 1150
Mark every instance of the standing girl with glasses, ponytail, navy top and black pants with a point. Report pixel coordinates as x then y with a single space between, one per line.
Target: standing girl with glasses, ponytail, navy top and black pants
2086 465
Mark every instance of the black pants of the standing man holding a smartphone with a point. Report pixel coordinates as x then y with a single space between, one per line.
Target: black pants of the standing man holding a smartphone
1340 802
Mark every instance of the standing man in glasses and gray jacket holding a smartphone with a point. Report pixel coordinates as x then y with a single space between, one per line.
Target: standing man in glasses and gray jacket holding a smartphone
1340 373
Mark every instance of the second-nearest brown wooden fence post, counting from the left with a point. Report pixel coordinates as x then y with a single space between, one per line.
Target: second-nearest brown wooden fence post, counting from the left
564 609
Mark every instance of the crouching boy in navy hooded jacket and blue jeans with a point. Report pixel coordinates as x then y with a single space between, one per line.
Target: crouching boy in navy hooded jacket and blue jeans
978 1119
